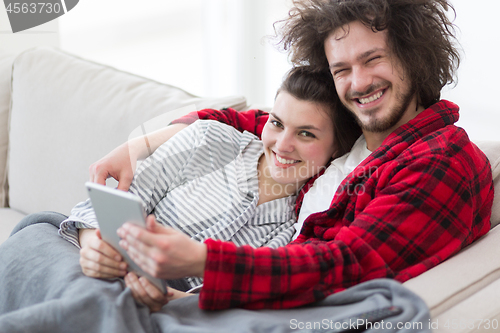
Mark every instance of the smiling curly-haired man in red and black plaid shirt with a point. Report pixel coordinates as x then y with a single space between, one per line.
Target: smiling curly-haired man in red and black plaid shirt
423 193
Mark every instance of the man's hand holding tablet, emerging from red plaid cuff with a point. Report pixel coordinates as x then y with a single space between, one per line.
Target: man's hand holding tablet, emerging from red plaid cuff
163 252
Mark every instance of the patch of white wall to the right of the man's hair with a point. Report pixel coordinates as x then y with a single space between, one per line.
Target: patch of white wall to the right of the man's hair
479 73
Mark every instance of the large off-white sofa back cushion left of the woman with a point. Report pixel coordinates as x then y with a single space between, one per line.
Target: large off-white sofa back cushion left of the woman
68 112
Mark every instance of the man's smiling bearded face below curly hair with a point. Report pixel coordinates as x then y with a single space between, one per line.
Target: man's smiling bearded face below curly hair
369 80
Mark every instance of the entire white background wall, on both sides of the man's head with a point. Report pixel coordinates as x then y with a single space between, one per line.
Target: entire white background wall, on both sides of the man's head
217 47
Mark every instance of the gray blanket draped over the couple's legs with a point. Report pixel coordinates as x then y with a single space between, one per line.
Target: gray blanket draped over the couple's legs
44 290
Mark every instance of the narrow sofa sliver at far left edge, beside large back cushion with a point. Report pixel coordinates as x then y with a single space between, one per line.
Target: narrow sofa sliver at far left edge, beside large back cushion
6 60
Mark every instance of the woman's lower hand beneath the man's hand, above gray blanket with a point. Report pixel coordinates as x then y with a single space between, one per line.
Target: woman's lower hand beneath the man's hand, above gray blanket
146 293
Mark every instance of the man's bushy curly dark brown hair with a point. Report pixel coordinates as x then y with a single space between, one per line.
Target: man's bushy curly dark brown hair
419 34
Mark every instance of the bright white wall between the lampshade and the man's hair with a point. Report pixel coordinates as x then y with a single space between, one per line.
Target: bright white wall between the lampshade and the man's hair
209 47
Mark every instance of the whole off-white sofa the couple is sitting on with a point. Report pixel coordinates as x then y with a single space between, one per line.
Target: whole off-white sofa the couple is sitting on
60 113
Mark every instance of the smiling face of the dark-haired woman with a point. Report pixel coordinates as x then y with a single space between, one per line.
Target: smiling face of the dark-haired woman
298 139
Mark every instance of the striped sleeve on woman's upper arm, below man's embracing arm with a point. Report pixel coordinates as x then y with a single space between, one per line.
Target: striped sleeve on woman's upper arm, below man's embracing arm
196 151
